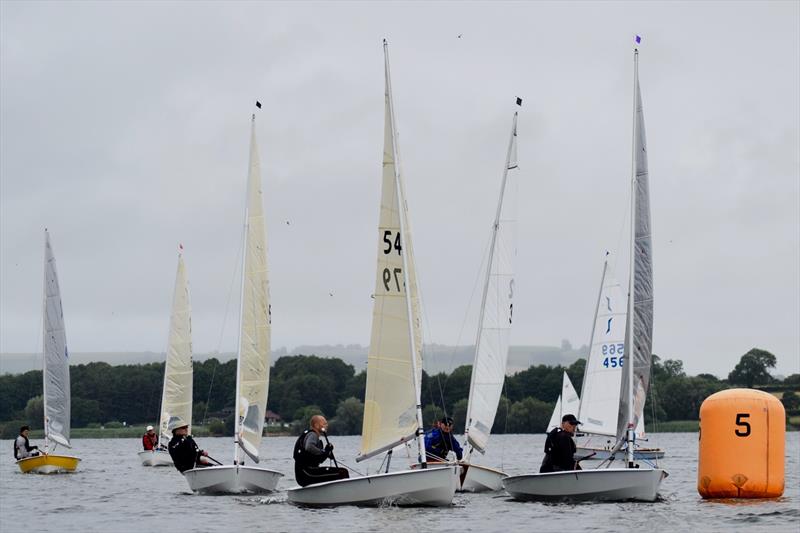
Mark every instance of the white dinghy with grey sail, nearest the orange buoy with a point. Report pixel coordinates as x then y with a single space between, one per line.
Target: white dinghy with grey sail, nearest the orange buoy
632 482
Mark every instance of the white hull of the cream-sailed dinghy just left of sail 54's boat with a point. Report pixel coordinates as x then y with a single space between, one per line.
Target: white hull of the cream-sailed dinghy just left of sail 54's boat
232 479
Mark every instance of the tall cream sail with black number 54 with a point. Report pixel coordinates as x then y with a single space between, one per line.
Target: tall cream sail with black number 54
394 364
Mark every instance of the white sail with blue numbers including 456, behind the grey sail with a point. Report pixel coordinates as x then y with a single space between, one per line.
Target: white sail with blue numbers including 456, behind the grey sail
601 379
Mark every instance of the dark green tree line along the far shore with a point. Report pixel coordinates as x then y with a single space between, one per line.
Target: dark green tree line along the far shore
301 386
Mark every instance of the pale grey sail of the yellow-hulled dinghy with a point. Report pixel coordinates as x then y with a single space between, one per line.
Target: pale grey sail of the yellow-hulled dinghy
56 356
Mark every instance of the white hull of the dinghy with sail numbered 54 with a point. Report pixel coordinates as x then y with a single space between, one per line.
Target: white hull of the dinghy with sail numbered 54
434 487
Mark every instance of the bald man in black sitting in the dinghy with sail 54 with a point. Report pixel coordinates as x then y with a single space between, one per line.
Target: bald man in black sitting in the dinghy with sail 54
309 454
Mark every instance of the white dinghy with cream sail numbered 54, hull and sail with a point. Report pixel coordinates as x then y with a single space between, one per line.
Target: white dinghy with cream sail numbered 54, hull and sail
392 410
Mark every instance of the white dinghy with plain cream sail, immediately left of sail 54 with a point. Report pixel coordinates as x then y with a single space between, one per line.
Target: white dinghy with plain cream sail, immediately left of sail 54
252 372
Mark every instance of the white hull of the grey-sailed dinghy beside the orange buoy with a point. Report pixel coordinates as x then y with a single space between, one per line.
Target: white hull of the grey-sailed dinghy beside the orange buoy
608 484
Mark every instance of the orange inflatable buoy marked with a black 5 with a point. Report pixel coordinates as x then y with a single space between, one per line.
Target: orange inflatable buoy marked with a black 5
742 441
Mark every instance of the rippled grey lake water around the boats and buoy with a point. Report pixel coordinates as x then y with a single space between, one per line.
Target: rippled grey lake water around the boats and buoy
112 492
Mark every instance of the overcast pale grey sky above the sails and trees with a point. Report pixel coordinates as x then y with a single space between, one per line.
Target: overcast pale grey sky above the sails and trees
125 131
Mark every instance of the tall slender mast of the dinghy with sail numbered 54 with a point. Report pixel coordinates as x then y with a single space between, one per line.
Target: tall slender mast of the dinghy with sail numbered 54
405 249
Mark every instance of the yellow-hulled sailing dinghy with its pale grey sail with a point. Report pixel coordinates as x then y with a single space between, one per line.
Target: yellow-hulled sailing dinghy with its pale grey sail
55 377
